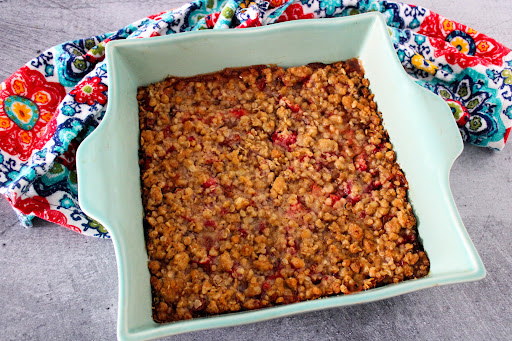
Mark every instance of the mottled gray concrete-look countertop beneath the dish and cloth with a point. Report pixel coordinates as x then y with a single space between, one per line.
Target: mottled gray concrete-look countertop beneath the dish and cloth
58 285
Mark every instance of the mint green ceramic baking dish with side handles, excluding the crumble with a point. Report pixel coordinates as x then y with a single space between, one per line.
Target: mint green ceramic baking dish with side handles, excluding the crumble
420 126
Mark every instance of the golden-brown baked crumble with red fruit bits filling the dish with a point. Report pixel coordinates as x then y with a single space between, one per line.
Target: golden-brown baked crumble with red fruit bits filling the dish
264 186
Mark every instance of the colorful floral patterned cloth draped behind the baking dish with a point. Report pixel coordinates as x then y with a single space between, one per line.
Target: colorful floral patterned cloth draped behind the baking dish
52 103
